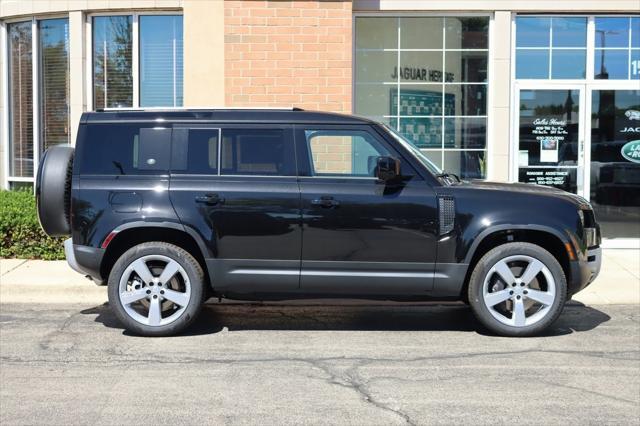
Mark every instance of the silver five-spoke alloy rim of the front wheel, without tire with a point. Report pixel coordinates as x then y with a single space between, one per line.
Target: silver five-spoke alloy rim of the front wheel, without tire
523 300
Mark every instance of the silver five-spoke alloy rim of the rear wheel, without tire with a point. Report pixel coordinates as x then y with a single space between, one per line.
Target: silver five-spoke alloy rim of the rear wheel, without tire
167 293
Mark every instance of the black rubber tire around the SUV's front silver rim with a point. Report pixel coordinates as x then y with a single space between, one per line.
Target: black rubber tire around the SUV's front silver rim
491 259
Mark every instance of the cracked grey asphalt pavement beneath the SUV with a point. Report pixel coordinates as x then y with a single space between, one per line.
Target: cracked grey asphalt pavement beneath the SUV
315 364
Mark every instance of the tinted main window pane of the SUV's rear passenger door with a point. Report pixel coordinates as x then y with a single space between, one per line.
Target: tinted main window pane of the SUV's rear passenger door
257 152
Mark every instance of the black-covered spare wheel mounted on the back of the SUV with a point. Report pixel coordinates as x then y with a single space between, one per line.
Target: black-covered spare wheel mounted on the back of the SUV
53 190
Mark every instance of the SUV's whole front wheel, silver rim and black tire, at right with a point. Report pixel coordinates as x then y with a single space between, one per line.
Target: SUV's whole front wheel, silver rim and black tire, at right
517 289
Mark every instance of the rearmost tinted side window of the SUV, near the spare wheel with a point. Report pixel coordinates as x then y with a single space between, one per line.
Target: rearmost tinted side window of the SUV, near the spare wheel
125 149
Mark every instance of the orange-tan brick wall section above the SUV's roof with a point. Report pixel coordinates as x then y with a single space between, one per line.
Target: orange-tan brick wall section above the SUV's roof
288 53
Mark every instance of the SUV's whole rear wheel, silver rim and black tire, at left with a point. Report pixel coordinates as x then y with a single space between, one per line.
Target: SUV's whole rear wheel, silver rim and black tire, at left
156 289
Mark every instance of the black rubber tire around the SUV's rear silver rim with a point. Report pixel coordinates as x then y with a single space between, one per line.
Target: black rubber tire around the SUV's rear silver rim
189 265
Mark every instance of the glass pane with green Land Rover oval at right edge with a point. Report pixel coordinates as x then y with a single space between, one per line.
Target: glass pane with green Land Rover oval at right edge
615 161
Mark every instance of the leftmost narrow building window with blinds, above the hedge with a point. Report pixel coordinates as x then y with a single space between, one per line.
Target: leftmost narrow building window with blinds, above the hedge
20 99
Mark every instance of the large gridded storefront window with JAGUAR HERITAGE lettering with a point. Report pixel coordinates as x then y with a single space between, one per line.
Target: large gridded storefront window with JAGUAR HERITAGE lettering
427 78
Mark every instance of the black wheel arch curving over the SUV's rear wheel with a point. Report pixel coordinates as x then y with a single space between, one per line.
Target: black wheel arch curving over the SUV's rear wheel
136 233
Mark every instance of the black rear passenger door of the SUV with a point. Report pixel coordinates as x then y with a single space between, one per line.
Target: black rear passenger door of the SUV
251 223
